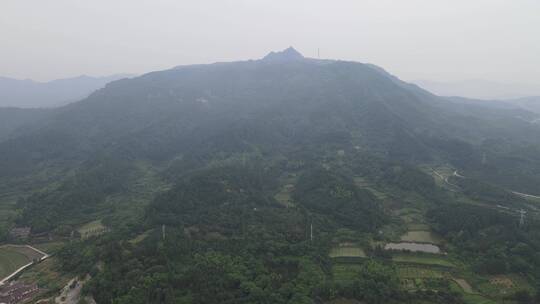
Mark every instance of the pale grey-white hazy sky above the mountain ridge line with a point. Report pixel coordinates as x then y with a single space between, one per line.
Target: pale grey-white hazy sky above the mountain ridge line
443 40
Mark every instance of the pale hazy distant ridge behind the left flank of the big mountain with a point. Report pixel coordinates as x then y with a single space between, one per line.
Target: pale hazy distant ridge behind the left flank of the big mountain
31 94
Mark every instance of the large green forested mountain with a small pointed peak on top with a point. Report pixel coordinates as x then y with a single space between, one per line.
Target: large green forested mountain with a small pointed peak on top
230 182
